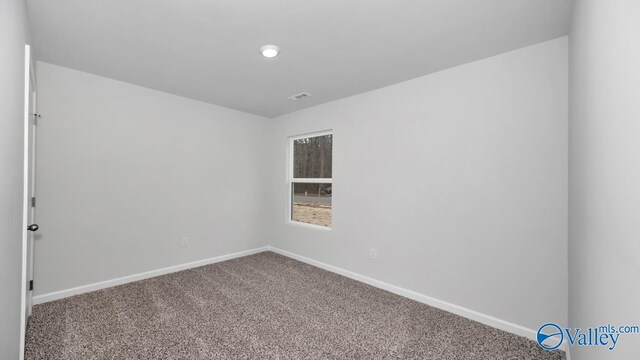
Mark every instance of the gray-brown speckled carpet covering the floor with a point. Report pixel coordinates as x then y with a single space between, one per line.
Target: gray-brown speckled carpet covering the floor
263 306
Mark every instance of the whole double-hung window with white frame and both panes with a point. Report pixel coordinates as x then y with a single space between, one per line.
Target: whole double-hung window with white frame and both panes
310 182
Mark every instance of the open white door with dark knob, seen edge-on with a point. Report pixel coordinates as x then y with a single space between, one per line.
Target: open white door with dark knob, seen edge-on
29 224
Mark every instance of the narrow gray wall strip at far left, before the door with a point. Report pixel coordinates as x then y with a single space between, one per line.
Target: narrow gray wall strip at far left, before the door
13 36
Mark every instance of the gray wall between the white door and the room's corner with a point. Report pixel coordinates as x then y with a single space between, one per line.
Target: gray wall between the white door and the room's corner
124 172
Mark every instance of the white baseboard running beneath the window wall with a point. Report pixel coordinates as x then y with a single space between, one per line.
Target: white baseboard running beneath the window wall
440 304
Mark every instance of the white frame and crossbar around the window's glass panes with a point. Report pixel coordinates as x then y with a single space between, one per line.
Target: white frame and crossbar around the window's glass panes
291 180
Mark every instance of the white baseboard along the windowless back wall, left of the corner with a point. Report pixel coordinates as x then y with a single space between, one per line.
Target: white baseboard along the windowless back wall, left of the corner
57 295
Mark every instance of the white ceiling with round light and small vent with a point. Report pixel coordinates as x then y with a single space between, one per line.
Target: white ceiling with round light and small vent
208 49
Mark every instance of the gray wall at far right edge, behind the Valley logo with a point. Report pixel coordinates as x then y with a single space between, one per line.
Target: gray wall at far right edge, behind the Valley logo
604 224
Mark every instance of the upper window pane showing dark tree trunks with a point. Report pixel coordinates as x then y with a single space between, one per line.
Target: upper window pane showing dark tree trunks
312 157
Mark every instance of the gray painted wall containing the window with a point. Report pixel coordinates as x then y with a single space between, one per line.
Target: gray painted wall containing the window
458 178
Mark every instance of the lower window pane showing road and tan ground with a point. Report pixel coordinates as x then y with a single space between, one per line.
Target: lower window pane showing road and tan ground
311 204
